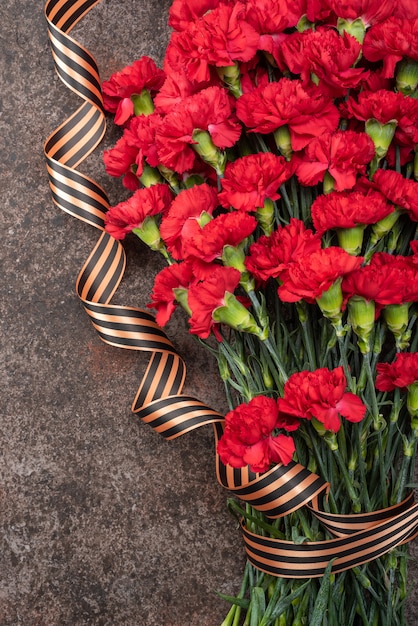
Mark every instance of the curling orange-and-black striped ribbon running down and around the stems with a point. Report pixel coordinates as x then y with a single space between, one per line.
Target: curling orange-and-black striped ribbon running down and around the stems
159 401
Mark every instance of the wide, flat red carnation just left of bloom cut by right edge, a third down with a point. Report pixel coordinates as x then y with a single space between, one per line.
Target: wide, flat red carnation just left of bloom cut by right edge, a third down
347 209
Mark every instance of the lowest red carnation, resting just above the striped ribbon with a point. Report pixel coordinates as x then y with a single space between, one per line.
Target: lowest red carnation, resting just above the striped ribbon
248 437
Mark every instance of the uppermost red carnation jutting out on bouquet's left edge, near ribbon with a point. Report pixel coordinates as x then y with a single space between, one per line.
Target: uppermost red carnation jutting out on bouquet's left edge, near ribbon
131 81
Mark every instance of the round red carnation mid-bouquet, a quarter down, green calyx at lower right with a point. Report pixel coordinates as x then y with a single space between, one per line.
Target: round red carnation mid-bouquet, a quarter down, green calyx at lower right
250 180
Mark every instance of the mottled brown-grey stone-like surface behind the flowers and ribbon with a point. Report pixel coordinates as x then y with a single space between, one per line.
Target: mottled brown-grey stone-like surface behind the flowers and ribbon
102 521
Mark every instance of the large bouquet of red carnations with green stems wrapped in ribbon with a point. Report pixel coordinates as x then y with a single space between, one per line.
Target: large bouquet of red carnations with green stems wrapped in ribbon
271 162
